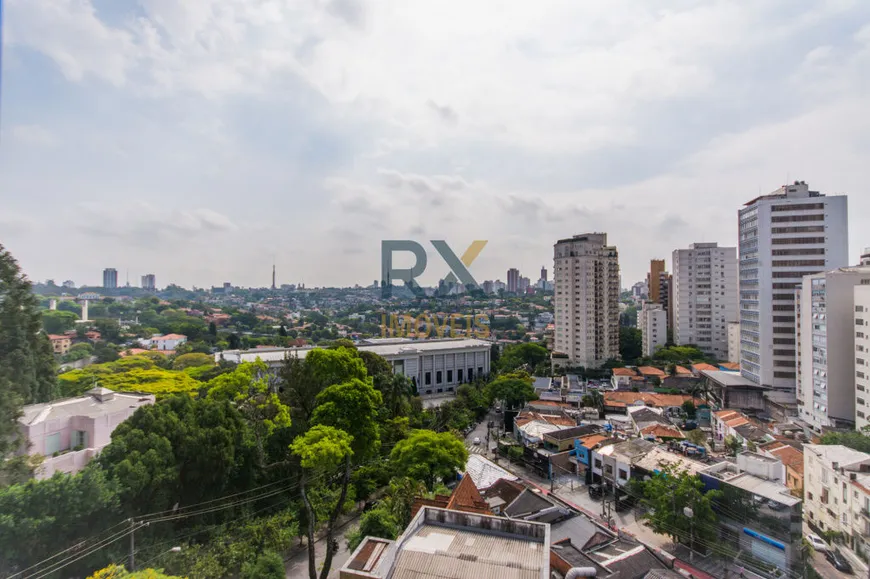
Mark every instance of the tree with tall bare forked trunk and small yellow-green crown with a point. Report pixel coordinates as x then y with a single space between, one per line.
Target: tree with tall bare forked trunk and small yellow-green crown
321 450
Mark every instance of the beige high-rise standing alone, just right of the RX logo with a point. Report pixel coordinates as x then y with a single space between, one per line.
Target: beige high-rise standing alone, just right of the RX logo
586 275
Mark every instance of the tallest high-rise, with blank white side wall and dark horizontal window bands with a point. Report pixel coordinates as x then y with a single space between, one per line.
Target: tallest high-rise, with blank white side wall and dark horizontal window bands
784 236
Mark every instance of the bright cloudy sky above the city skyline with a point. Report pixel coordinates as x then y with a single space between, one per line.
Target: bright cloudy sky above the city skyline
201 140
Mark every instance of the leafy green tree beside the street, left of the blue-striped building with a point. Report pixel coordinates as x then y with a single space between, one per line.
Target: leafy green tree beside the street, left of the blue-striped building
667 494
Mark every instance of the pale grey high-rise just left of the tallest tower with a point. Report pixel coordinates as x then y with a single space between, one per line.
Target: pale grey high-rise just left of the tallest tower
705 296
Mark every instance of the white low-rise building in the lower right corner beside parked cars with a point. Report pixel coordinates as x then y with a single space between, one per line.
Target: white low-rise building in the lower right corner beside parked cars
837 493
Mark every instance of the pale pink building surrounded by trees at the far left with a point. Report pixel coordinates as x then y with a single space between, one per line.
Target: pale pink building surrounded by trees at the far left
72 431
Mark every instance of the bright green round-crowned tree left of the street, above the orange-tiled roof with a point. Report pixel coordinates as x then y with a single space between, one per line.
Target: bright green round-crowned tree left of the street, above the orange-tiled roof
429 456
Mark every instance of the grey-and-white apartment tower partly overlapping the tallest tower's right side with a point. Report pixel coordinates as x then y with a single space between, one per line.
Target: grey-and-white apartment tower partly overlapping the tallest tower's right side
826 339
